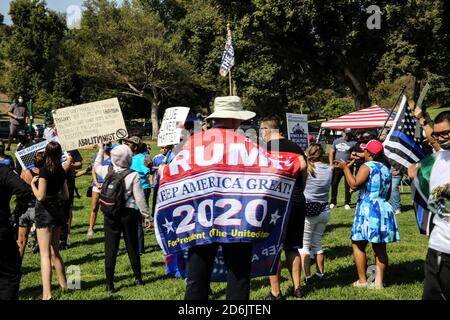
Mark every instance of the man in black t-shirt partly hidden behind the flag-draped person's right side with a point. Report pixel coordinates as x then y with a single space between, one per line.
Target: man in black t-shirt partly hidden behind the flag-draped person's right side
270 133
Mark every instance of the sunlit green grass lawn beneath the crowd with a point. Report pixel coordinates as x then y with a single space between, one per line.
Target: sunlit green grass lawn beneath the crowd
404 276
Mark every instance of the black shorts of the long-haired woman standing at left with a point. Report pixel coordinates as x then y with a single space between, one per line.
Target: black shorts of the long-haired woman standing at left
49 214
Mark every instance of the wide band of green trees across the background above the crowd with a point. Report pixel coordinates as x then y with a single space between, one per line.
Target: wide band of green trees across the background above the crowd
308 56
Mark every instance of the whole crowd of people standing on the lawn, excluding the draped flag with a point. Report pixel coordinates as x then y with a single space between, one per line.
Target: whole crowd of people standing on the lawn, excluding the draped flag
124 177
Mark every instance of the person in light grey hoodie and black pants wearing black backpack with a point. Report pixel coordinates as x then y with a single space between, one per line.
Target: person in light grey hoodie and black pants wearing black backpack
121 200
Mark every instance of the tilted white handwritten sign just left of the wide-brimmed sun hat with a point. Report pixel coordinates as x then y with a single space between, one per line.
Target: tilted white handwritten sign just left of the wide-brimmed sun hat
170 130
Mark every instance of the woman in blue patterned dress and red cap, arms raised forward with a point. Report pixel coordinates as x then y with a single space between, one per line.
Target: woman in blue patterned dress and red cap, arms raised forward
374 218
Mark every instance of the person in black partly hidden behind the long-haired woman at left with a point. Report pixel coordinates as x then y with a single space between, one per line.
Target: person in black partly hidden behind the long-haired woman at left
74 162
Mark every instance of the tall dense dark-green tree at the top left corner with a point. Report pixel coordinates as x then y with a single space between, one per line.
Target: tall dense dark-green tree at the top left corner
31 48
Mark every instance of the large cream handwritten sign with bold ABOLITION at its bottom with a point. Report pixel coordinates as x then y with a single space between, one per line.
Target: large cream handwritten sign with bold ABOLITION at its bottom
89 124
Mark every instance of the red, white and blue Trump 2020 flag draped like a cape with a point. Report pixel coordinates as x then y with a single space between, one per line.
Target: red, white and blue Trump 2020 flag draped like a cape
223 188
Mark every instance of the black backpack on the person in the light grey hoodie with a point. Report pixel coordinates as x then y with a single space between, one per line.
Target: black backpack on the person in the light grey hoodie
112 197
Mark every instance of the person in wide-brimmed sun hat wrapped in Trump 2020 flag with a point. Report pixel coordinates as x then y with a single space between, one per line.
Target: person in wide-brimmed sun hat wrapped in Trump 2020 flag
223 202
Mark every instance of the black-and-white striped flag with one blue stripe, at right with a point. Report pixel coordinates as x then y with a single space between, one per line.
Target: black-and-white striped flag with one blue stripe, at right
401 146
